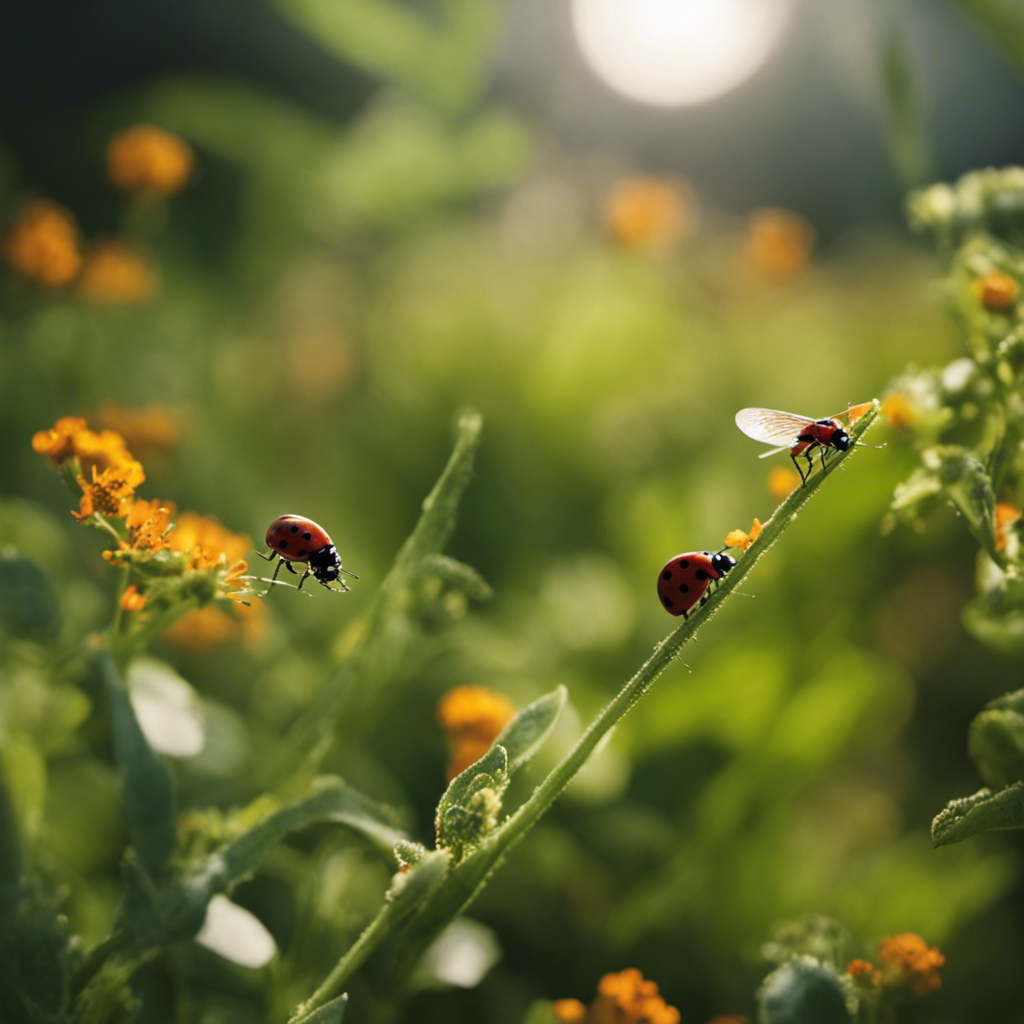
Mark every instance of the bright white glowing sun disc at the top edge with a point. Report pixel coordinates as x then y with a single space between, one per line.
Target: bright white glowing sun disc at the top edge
677 53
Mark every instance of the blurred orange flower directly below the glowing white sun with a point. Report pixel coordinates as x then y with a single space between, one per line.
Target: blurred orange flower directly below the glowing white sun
649 212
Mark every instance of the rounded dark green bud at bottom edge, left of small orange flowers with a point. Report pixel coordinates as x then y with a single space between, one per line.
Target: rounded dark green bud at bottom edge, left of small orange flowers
804 990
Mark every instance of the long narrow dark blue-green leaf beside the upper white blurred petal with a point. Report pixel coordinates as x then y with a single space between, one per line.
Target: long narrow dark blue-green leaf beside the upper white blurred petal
150 798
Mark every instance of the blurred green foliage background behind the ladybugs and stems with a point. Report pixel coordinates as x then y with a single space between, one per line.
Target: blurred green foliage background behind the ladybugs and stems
403 210
